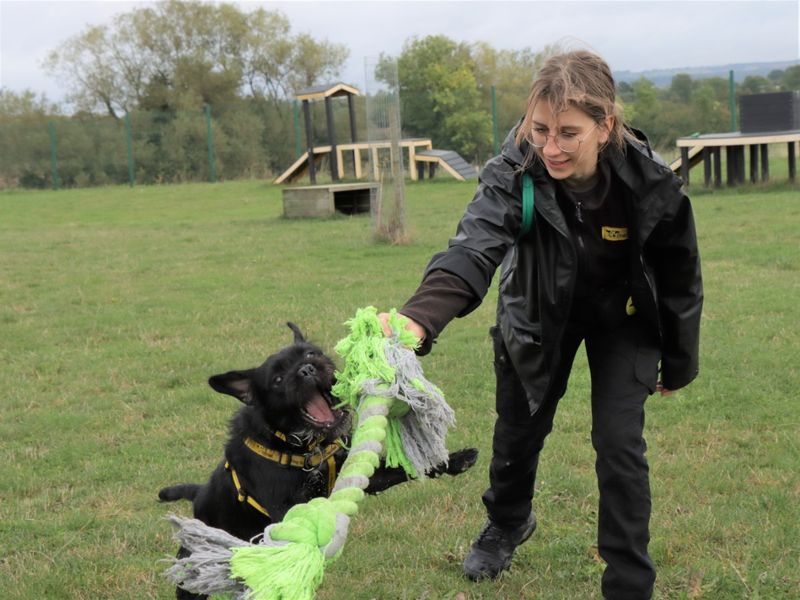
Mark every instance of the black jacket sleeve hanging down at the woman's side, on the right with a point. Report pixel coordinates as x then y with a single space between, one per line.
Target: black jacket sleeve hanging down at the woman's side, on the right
673 252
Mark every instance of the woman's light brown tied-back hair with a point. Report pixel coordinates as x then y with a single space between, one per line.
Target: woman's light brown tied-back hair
581 79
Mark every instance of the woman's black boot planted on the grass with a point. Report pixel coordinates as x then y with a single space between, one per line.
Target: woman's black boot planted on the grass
491 552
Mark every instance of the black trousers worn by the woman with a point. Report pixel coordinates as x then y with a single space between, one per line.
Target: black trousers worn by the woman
623 362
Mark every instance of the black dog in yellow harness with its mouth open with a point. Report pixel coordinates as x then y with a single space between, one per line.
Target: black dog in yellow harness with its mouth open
285 445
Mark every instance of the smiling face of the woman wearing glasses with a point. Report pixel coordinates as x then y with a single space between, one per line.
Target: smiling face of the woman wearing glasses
576 169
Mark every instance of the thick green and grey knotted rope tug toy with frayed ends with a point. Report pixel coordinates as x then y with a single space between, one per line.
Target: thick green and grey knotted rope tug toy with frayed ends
401 415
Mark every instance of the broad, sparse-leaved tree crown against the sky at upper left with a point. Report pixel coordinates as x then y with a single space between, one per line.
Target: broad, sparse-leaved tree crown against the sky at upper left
179 55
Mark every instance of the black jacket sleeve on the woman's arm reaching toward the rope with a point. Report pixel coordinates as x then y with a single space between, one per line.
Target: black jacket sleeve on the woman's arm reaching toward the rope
486 231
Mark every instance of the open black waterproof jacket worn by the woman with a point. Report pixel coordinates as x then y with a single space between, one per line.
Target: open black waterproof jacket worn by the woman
538 272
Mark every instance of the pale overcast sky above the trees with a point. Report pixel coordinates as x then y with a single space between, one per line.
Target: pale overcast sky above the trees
631 35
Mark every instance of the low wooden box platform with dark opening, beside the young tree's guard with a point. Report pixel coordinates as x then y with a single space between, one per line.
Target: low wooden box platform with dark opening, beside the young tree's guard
326 200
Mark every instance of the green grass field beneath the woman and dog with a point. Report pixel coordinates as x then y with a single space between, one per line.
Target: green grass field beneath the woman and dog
116 304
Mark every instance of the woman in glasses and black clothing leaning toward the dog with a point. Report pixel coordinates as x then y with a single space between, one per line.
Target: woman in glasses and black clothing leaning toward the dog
611 260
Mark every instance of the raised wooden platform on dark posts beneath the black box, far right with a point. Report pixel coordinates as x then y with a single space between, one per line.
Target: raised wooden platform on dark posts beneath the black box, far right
707 149
